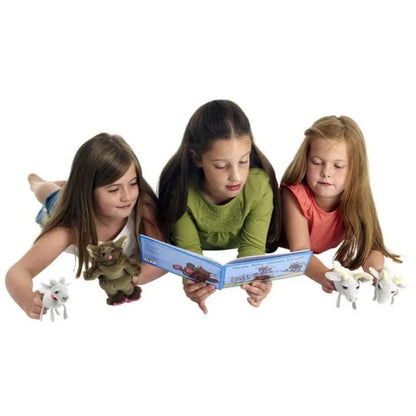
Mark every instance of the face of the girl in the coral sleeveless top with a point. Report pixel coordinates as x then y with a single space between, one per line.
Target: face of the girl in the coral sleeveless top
327 171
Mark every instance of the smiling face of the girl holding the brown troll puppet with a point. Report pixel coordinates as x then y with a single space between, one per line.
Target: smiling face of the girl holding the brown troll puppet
117 200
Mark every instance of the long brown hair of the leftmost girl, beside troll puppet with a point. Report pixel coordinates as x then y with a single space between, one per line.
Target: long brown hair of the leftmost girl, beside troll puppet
98 162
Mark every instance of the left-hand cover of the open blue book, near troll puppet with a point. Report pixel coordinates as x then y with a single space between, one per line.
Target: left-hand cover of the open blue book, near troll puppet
184 263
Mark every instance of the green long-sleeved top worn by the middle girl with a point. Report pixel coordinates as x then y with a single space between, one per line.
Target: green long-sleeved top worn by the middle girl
241 223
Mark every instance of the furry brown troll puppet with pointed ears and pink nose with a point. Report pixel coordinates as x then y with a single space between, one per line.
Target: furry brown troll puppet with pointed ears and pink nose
114 271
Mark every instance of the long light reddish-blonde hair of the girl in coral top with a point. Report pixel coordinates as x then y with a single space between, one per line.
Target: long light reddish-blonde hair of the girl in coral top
362 229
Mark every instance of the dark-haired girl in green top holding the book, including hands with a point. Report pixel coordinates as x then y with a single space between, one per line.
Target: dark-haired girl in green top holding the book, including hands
218 191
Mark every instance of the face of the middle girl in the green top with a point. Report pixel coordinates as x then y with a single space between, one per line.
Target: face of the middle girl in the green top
226 166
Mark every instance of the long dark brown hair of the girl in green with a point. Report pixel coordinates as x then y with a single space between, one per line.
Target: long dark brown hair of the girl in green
218 119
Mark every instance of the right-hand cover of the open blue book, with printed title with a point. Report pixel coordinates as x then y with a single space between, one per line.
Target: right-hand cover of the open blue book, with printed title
268 267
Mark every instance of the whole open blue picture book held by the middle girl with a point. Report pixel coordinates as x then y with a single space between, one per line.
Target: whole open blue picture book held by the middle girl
199 268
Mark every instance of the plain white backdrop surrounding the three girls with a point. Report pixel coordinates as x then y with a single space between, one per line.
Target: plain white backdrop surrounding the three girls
140 69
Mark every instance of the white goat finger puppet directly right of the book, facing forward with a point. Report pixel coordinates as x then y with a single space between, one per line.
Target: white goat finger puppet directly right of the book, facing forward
347 283
